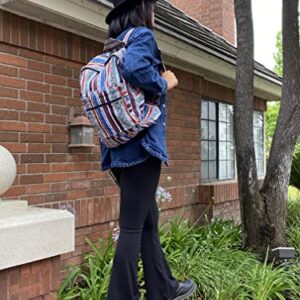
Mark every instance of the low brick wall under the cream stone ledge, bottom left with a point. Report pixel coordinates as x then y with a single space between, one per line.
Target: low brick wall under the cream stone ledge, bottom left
38 280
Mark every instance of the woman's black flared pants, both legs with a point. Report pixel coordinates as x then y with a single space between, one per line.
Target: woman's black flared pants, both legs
138 234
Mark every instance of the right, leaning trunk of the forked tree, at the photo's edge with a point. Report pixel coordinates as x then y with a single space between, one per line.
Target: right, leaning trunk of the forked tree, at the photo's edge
275 188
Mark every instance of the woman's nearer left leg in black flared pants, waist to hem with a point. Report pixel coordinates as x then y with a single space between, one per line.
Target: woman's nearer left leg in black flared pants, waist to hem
138 187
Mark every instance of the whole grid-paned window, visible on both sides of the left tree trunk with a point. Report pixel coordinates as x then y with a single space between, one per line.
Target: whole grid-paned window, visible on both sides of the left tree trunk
218 160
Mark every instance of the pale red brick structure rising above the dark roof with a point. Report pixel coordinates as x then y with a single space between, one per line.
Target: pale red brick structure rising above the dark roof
218 15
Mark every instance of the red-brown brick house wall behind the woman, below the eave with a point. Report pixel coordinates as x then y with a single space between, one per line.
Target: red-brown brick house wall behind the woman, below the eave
39 71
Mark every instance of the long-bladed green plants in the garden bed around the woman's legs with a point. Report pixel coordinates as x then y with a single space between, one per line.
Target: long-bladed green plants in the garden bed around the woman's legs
210 254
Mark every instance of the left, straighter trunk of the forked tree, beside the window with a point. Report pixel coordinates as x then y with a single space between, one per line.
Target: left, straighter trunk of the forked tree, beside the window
250 203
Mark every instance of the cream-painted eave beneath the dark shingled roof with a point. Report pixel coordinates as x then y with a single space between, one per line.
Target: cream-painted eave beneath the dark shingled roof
86 18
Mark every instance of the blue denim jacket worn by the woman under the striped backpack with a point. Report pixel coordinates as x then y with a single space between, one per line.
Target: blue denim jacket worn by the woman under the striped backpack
141 67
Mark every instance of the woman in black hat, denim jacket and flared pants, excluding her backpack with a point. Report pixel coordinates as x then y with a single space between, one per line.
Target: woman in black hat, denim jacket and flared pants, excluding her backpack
136 165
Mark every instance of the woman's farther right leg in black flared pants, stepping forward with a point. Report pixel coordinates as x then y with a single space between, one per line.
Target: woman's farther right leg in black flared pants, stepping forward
160 284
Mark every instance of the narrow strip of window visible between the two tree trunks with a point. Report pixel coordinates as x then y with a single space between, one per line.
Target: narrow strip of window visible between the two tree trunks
258 134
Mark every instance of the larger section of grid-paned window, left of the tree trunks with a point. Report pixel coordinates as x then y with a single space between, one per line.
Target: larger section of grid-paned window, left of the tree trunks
217 145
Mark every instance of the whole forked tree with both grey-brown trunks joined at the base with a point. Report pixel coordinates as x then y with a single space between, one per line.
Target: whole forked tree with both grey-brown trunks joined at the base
263 212
